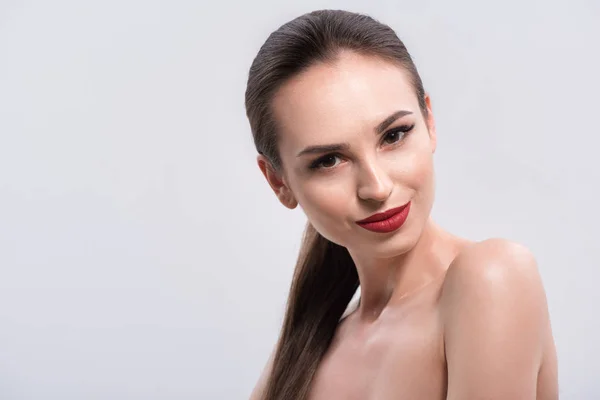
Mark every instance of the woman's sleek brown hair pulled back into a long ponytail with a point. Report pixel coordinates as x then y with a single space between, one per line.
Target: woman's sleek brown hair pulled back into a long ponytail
325 276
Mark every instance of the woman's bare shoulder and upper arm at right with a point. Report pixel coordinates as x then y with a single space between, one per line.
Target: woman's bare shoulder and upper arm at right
495 321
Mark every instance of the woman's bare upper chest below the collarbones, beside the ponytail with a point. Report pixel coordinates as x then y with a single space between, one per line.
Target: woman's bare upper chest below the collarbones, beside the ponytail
401 359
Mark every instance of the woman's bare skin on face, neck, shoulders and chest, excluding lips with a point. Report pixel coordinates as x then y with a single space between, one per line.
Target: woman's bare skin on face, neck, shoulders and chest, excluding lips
440 317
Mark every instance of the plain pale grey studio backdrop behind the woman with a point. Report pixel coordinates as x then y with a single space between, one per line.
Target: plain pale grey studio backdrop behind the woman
142 253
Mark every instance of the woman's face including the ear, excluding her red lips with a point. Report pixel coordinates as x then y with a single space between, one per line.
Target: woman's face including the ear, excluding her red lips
372 170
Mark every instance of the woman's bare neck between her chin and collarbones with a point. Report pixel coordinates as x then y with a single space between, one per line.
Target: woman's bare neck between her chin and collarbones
384 280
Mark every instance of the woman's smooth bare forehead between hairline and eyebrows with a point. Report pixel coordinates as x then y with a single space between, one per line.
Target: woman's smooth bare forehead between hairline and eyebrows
327 102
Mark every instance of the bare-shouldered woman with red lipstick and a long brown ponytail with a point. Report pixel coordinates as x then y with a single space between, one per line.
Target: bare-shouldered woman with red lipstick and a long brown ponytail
344 128
